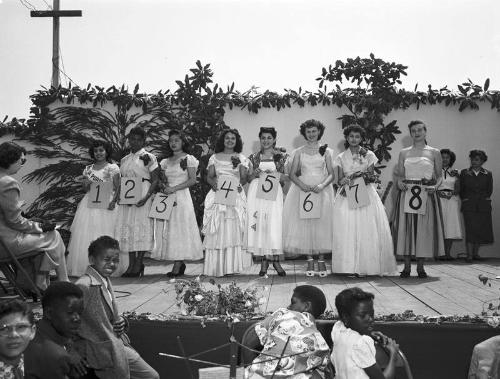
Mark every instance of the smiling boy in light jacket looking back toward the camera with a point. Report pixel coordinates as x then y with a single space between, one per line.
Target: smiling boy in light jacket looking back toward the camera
103 340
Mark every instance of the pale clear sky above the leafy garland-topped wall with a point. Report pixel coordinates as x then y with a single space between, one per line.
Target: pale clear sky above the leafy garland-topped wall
270 44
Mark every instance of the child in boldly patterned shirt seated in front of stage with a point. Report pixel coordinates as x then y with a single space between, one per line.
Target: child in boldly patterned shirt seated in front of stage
291 333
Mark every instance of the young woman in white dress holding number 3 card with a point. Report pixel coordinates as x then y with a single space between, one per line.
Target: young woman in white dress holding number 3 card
178 173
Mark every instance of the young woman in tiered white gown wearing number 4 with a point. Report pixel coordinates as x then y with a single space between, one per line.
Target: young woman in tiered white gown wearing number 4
224 226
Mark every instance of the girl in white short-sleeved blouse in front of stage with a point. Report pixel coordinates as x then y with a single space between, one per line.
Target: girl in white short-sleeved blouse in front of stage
353 351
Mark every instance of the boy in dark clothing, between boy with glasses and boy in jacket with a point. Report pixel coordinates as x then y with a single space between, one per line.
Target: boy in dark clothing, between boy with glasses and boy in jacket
51 353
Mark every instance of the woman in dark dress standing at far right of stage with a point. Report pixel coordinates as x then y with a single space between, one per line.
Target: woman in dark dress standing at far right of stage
476 186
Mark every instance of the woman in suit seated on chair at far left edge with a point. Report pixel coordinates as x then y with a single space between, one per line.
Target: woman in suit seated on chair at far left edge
19 234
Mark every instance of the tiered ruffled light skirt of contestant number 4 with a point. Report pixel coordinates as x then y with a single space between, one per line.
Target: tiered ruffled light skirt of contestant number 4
224 228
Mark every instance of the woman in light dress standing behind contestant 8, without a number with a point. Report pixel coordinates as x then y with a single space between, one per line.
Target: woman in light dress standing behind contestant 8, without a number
448 193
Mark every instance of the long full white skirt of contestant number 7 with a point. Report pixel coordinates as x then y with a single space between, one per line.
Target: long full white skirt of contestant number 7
362 241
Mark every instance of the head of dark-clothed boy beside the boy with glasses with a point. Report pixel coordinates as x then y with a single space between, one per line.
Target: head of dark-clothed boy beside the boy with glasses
62 305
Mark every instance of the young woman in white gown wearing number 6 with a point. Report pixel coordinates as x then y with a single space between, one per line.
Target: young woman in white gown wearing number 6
311 171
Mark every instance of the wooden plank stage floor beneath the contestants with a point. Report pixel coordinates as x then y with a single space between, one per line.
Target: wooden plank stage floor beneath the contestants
451 288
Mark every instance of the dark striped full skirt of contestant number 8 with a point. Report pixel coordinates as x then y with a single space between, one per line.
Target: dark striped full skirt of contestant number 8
421 236
